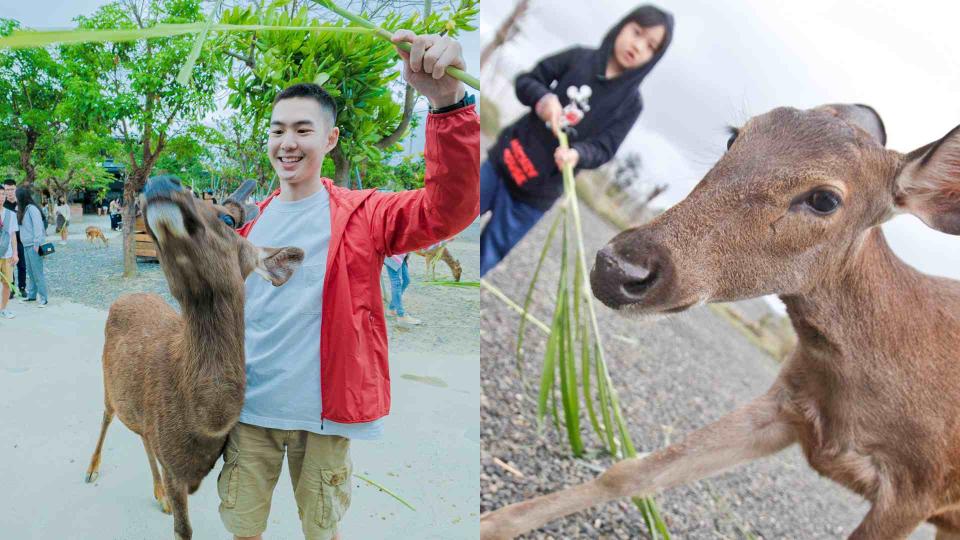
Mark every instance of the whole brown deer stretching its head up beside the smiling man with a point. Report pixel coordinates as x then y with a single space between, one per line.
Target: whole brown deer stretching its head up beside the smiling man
178 380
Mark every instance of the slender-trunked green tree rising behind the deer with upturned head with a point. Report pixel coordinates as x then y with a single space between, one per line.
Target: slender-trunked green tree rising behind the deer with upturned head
129 90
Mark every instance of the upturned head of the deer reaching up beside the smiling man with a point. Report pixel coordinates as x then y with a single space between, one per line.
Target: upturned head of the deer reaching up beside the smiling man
200 252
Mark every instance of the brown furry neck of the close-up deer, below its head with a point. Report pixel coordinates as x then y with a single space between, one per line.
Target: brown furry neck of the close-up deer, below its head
858 306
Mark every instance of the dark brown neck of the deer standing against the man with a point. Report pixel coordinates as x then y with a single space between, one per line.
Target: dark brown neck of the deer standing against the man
213 371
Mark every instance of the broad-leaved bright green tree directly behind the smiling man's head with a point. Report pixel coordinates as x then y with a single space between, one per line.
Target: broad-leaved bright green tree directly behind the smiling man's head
359 71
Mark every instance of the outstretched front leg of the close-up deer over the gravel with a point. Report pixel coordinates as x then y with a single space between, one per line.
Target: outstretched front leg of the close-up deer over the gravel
755 430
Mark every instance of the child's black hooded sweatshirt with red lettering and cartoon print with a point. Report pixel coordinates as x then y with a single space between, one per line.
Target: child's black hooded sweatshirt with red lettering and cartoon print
523 154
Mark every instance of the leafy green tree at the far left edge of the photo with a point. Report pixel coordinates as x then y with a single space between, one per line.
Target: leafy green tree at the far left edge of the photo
30 94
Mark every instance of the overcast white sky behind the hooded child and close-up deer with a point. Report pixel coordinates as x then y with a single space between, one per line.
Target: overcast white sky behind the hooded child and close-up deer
733 59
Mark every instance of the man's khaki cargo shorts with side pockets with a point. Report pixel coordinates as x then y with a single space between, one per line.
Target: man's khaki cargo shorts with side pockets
319 467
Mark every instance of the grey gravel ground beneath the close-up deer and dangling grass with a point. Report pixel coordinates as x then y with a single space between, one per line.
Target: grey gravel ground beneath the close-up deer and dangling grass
673 375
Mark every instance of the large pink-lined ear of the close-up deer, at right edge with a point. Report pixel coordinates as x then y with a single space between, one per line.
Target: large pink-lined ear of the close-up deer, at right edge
928 184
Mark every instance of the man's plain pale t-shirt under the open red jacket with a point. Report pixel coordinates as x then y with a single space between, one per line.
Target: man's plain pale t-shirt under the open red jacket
282 336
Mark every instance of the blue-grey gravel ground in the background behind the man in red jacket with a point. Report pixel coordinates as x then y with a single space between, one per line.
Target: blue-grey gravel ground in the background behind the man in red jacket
91 274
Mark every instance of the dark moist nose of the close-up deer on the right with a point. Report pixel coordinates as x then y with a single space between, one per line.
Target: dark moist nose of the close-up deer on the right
617 282
